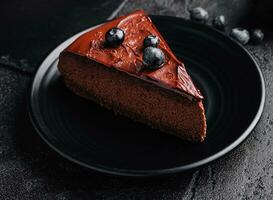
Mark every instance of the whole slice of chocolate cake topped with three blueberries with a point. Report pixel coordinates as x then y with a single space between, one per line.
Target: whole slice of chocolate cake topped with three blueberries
127 66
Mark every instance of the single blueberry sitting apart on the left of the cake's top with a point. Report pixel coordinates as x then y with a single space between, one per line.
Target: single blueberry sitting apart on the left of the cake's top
114 37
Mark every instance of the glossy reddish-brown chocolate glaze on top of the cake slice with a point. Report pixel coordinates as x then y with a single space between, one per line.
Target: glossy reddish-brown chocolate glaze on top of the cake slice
128 56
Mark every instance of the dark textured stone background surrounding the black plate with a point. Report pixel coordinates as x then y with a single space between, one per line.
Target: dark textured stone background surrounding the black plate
30 170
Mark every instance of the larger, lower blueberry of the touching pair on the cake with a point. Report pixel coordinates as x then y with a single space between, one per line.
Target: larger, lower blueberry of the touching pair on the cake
153 58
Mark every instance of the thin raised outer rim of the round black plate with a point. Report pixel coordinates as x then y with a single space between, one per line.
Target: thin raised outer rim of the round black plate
53 55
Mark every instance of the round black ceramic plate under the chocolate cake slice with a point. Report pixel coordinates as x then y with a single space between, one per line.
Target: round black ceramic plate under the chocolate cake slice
94 137
